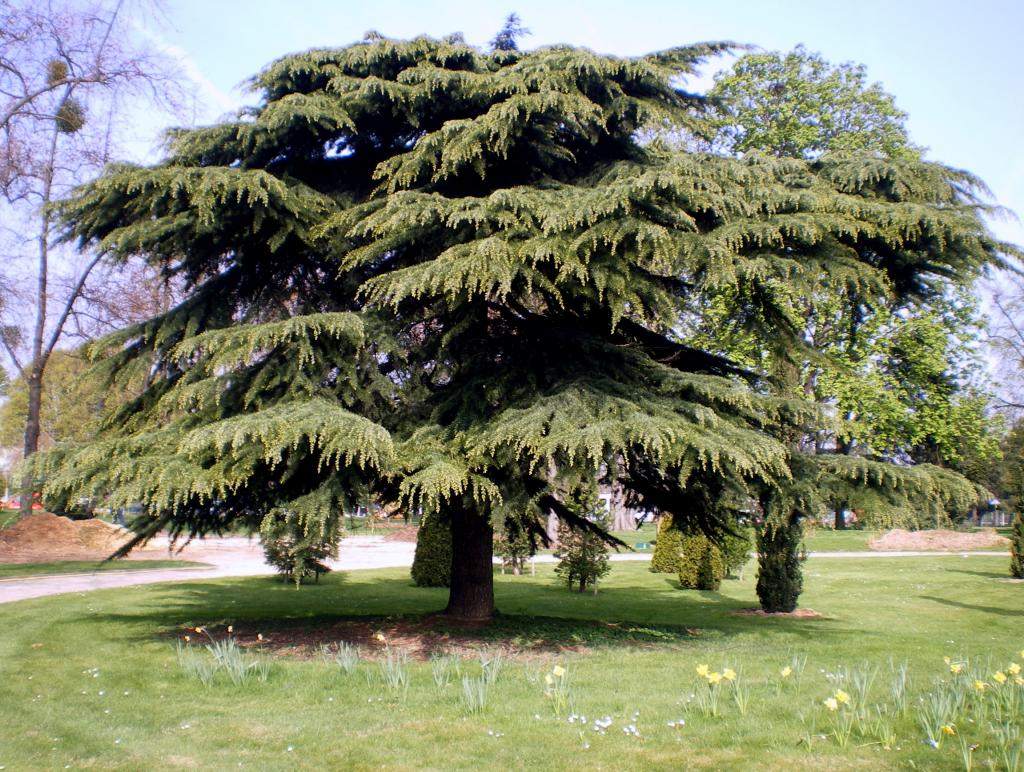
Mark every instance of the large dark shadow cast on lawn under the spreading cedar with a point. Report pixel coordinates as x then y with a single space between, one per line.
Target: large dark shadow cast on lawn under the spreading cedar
389 613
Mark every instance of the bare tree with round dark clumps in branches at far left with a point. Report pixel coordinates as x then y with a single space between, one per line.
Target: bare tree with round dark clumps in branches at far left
67 71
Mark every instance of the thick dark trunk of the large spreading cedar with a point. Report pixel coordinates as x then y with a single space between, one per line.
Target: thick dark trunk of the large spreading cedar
473 593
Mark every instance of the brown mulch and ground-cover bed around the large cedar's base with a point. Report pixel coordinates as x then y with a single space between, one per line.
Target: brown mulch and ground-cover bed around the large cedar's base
423 637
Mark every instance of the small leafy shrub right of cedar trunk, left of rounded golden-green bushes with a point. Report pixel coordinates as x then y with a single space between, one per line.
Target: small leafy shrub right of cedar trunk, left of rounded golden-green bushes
583 554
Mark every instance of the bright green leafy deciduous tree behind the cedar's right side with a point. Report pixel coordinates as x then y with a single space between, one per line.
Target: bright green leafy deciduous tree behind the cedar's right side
894 370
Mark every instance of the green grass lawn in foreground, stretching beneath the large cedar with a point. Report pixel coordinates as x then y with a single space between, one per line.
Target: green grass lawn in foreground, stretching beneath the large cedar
95 680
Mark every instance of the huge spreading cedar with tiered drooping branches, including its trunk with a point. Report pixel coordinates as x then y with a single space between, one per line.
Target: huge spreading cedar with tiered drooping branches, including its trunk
460 280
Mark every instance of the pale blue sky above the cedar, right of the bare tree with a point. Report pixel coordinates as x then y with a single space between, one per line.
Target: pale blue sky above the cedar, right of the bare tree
954 67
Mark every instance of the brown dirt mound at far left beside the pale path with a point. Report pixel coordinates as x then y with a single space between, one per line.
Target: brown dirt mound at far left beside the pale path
45 537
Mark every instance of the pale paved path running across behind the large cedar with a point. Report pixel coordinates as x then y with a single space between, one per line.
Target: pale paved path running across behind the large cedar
243 557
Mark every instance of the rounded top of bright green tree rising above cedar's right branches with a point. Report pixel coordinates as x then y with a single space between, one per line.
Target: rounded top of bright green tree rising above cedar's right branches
800 106
